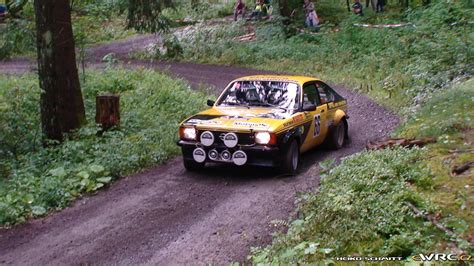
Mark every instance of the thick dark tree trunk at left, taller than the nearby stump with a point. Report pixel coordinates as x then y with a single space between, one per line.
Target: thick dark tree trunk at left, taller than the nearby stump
62 107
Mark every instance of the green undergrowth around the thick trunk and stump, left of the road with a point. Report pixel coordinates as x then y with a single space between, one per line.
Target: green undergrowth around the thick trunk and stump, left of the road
35 180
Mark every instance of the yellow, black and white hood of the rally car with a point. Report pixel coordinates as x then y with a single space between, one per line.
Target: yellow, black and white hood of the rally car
239 119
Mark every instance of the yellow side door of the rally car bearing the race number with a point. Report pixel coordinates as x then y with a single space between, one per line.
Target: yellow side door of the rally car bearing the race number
317 131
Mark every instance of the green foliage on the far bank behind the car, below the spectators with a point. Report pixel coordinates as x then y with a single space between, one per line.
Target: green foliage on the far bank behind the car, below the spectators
399 67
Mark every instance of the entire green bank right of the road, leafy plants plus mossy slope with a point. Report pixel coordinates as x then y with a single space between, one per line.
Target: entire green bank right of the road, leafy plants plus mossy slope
362 206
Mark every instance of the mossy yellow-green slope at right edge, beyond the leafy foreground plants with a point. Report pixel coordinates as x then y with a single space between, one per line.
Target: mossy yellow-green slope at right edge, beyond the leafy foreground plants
448 116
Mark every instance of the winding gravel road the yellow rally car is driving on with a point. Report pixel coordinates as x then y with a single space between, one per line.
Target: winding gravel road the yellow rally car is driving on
167 216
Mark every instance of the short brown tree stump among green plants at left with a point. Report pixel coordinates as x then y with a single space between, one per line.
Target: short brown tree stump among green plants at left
107 113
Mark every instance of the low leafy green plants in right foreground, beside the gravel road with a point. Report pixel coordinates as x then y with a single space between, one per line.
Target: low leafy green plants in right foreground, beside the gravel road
361 208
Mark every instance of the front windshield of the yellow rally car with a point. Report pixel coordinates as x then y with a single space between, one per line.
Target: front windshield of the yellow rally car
274 94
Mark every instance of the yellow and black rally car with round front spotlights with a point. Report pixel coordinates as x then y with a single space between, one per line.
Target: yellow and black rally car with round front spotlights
265 120
